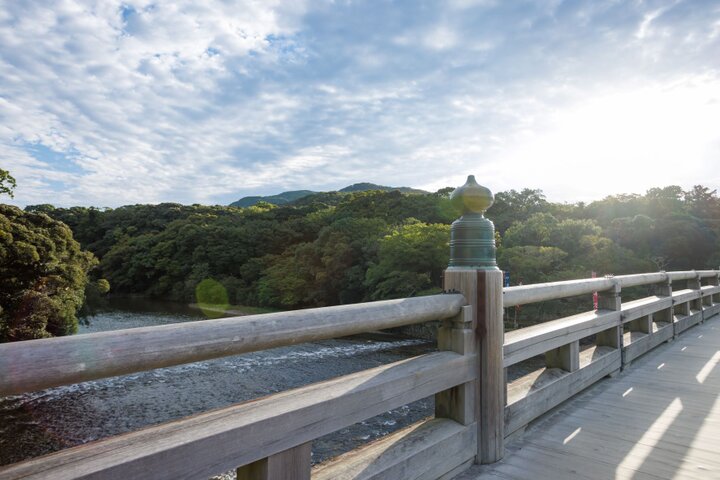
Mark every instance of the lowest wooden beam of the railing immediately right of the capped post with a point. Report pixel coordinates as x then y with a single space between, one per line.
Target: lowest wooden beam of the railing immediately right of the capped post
529 398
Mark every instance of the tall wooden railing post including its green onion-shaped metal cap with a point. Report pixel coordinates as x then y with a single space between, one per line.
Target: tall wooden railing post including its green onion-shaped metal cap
473 272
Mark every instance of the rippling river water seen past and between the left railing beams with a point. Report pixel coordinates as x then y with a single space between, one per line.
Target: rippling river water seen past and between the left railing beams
42 422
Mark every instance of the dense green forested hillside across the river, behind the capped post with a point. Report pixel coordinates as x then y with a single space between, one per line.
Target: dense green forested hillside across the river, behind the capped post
333 248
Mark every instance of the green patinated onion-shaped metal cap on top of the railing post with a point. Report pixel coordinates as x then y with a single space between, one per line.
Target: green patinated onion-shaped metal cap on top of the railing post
472 236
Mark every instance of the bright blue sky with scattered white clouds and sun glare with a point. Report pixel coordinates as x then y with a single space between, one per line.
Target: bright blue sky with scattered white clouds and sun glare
108 103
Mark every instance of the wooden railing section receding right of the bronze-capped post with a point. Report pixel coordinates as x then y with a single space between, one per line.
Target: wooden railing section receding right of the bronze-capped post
581 349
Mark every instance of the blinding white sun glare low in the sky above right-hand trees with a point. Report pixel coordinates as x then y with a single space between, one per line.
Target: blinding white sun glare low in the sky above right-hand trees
634 138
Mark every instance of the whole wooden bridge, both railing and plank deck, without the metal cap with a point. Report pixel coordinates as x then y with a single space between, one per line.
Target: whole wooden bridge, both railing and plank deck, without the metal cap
659 418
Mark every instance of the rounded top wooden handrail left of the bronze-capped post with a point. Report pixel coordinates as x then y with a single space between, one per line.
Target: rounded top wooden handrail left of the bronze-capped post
37 364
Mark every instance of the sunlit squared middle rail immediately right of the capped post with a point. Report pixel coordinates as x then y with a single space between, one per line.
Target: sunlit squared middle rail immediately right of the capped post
535 340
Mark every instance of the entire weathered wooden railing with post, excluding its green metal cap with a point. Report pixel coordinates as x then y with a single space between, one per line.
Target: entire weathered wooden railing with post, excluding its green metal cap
475 408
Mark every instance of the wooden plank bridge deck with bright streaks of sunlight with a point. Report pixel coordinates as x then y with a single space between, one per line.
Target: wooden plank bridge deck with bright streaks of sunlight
659 419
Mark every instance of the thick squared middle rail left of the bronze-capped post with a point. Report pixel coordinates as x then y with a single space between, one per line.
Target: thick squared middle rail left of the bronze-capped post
220 440
